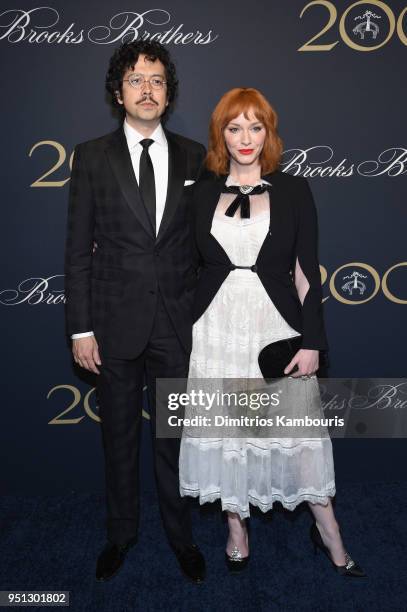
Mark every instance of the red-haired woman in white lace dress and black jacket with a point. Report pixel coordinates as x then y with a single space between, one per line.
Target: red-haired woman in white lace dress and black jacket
259 282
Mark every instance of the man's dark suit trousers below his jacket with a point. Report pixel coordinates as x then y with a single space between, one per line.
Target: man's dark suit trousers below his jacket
120 395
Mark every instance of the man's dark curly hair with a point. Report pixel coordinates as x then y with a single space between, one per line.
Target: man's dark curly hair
126 56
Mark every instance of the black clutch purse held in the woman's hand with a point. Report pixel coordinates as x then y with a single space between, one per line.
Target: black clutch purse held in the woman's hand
275 357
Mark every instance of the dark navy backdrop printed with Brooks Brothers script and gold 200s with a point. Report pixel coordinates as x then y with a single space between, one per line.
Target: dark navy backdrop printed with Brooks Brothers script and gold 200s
333 70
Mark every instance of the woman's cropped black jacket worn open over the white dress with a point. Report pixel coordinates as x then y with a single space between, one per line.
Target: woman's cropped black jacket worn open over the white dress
293 233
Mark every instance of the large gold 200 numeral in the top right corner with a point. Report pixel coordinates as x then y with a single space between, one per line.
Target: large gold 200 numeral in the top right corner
344 35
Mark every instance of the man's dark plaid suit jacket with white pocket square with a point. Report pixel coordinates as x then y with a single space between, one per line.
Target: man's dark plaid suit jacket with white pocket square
113 291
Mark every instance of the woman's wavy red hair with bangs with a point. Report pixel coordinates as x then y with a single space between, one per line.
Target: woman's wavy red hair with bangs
231 105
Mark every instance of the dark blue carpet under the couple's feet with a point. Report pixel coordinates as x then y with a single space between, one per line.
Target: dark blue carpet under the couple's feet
52 544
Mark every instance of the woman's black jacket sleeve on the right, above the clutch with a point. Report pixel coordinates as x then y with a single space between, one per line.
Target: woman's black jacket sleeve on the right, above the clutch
314 335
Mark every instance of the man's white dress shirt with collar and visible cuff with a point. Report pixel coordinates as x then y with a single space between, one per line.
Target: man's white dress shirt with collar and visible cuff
158 151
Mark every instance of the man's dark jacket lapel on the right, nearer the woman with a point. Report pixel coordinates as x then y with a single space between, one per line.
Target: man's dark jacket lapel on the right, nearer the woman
176 176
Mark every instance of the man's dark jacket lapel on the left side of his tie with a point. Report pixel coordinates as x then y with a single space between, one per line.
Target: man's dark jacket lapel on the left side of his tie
120 161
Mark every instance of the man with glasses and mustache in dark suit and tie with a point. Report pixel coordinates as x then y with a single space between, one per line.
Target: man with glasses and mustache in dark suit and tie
129 302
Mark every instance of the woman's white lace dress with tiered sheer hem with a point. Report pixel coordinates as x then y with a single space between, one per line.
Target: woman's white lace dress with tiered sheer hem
227 339
